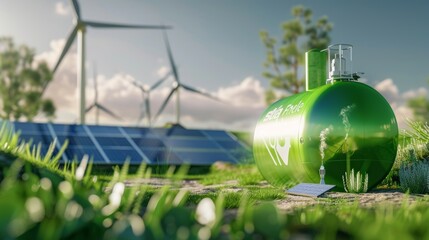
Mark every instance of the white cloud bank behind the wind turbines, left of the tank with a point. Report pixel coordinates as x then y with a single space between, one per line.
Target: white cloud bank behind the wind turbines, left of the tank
239 110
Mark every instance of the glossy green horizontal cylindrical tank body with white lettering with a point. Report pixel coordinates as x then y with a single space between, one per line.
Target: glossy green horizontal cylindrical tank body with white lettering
343 125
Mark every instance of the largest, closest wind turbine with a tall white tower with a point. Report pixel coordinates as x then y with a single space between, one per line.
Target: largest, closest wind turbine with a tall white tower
79 29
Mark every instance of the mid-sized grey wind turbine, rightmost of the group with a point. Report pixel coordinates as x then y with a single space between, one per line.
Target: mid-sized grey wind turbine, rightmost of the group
177 85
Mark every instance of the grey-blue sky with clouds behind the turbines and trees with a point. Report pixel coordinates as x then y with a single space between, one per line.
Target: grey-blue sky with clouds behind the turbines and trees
217 48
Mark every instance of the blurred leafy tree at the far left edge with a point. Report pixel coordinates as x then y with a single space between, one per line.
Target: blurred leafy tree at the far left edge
21 83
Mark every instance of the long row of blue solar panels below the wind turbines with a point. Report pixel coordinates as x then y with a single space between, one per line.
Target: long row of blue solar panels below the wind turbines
154 146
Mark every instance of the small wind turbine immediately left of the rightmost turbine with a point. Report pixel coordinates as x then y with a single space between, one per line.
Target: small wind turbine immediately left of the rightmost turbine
145 105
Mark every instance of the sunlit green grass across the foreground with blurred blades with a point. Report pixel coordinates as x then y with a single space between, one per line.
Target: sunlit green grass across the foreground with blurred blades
39 200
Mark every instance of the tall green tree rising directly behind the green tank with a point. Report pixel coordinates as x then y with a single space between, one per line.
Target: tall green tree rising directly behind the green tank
299 35
